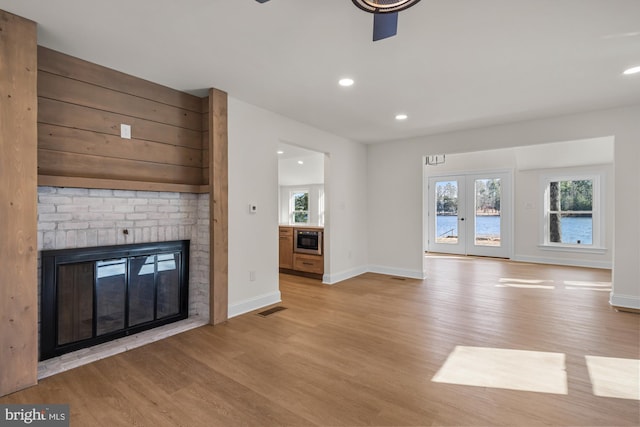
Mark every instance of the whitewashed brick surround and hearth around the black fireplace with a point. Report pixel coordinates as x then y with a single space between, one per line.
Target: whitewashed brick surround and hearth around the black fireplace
80 217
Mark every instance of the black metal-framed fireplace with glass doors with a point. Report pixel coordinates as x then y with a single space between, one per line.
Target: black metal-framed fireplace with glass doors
93 295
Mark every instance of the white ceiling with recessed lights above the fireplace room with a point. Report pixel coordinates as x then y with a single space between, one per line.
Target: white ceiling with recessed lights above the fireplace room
454 64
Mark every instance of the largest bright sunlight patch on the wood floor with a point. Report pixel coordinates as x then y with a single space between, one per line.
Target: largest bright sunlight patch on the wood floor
535 371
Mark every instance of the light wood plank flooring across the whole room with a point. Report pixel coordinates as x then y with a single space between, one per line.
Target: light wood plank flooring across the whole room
365 352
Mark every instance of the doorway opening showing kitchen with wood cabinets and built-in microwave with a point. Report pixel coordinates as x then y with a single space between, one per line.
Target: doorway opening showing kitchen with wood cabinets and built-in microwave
302 211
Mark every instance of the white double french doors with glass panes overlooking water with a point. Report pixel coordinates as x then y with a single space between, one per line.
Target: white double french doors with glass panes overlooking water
470 214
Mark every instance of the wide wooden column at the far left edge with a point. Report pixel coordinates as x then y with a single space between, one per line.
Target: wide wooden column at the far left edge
18 204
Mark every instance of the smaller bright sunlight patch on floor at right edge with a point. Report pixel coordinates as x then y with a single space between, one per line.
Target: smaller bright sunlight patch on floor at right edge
613 377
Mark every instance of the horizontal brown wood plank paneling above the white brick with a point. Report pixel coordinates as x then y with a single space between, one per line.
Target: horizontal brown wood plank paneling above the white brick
81 107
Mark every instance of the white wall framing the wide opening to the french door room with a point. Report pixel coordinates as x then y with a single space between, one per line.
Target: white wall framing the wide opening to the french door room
395 187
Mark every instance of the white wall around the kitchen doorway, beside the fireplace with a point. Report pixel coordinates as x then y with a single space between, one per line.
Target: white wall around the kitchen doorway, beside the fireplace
254 134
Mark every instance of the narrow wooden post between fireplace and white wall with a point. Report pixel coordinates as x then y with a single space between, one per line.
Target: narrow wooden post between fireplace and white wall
218 205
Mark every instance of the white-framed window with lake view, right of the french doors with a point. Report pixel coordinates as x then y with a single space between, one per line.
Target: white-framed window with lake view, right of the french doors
572 212
